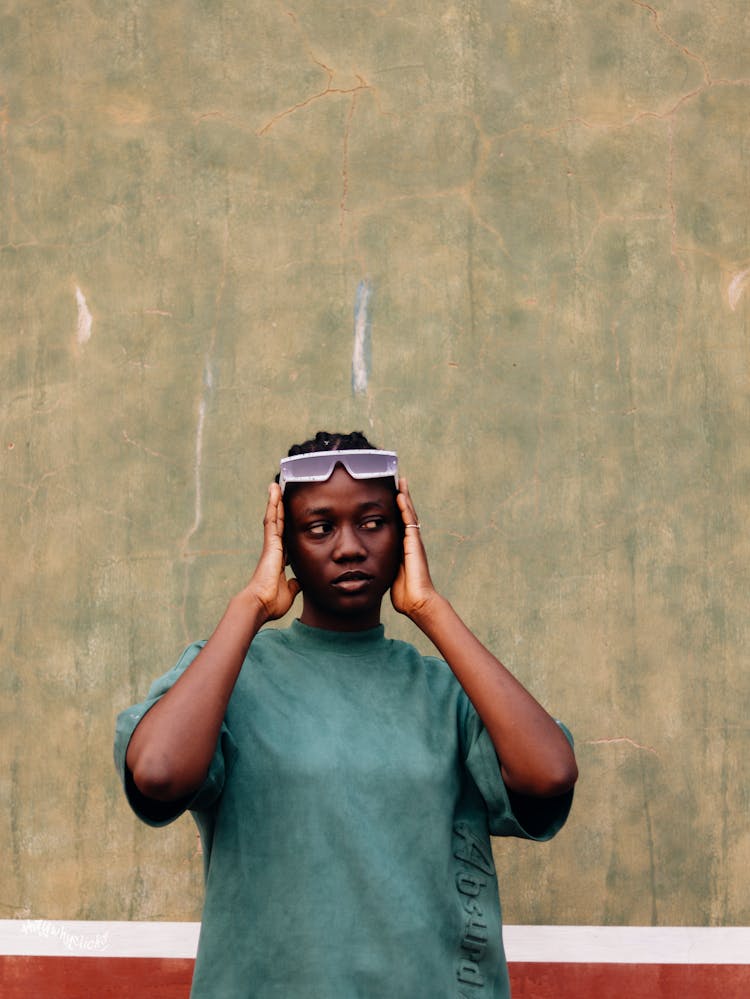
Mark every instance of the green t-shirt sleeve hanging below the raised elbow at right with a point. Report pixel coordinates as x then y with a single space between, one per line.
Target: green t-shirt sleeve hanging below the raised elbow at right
506 815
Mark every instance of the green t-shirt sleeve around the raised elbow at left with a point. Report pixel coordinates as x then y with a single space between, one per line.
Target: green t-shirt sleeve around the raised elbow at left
157 813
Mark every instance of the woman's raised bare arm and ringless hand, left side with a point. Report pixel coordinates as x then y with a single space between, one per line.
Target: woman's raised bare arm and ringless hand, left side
171 749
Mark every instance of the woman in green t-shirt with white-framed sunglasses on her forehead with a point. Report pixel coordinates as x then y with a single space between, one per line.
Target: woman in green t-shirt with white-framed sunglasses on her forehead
345 786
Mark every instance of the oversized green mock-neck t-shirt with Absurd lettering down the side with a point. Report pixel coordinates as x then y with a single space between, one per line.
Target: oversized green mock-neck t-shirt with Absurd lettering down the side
346 821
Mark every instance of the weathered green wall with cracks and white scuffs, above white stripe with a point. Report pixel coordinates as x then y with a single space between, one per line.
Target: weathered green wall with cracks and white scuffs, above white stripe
536 211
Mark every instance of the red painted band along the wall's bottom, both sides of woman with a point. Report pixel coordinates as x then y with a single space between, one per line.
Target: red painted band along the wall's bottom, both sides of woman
169 978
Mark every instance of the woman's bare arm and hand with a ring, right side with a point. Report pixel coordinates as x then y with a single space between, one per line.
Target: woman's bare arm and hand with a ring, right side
535 757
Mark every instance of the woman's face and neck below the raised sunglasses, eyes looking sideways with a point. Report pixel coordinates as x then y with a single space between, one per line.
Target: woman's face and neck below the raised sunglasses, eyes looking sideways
344 546
